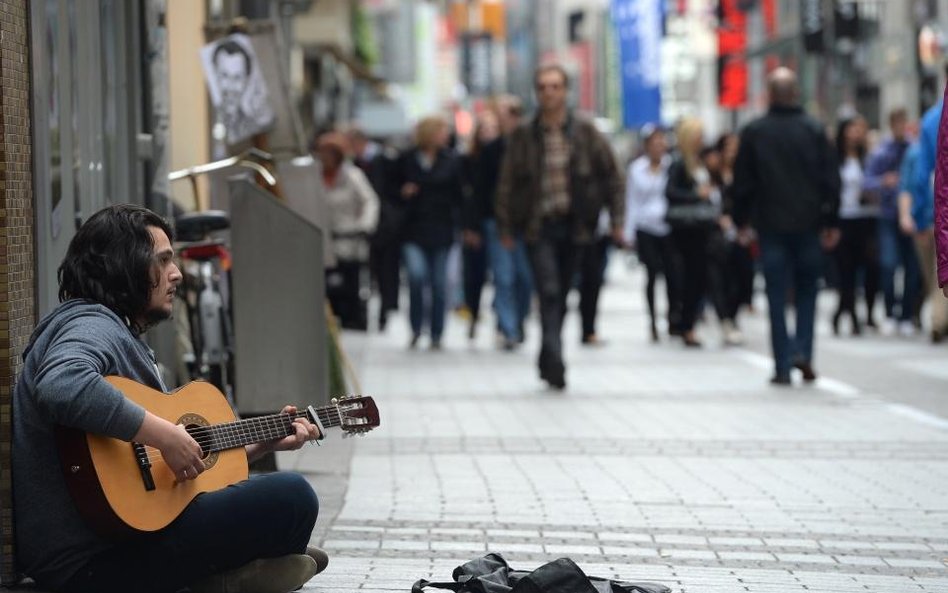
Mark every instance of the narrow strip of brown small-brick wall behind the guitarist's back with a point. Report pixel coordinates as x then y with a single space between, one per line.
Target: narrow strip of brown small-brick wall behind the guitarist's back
16 236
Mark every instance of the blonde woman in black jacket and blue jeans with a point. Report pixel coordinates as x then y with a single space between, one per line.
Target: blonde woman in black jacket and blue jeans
429 180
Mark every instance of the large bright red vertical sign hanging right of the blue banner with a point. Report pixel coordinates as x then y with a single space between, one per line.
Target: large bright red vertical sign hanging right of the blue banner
732 67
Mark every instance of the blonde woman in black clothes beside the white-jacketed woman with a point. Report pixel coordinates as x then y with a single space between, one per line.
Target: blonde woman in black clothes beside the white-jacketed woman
693 210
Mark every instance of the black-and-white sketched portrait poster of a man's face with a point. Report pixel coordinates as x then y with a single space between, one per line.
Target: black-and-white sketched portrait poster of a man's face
238 91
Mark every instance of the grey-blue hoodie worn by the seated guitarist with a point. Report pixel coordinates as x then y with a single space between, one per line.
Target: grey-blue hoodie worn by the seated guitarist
70 352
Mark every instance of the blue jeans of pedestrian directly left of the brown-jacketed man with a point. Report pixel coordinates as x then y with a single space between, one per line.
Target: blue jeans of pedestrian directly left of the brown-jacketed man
513 282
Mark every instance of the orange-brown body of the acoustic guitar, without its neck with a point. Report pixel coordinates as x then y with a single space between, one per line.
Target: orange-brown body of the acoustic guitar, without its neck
107 483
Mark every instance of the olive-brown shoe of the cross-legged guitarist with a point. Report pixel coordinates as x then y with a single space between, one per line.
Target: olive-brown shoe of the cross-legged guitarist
266 575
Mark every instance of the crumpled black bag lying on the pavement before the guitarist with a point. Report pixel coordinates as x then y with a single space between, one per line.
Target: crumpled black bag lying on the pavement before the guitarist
491 574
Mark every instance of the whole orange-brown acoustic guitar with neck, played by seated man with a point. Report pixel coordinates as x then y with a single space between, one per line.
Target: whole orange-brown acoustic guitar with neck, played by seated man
123 488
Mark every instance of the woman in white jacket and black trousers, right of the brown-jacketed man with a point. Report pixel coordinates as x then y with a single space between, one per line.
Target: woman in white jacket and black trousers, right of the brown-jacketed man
646 227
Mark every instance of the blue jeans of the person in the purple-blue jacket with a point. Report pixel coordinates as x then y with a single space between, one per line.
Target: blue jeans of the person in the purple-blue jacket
898 249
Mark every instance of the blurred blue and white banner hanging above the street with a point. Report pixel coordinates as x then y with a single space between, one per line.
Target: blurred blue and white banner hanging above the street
638 26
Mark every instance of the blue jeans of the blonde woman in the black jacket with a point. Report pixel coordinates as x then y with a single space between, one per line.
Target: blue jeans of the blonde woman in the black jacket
427 269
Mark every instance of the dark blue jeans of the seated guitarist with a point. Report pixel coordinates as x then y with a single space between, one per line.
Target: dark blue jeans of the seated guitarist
264 517
